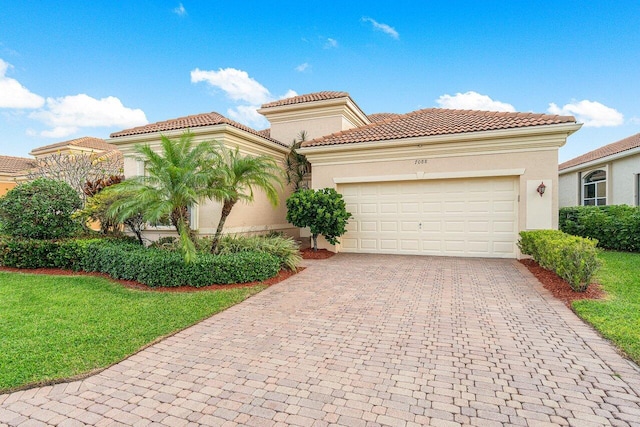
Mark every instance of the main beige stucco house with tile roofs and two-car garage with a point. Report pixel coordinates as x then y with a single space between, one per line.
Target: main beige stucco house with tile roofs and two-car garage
432 182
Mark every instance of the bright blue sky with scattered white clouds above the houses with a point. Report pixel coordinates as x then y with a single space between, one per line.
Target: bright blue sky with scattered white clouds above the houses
78 68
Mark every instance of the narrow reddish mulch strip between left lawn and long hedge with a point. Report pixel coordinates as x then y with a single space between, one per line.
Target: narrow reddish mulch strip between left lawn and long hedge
283 275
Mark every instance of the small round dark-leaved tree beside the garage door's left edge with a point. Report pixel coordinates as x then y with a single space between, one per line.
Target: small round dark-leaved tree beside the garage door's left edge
323 211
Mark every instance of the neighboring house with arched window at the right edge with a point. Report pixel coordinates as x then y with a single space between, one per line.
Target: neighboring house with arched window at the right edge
609 175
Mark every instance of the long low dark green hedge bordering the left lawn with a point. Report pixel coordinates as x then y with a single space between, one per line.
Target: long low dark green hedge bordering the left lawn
128 261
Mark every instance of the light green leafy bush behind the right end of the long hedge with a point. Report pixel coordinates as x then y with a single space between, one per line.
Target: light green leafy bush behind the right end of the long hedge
285 248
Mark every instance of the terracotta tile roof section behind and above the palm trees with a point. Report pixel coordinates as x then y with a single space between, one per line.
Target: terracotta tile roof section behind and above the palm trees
188 122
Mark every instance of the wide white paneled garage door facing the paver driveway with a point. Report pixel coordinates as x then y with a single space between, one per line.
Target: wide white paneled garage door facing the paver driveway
452 217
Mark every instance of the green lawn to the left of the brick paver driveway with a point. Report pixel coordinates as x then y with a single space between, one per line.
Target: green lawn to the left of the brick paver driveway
54 327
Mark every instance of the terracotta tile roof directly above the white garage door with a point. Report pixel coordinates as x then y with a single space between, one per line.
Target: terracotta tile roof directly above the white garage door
437 121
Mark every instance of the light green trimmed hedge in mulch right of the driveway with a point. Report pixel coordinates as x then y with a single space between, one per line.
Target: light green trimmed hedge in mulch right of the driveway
573 258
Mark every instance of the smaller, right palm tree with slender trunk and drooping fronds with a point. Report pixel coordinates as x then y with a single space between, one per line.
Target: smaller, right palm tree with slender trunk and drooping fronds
235 178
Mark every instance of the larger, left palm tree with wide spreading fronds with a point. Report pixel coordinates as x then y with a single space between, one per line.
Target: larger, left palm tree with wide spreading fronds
176 179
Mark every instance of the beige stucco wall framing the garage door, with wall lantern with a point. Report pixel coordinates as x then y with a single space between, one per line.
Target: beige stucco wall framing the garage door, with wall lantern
529 155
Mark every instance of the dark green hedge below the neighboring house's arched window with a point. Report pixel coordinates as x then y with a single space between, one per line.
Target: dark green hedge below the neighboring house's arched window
616 227
